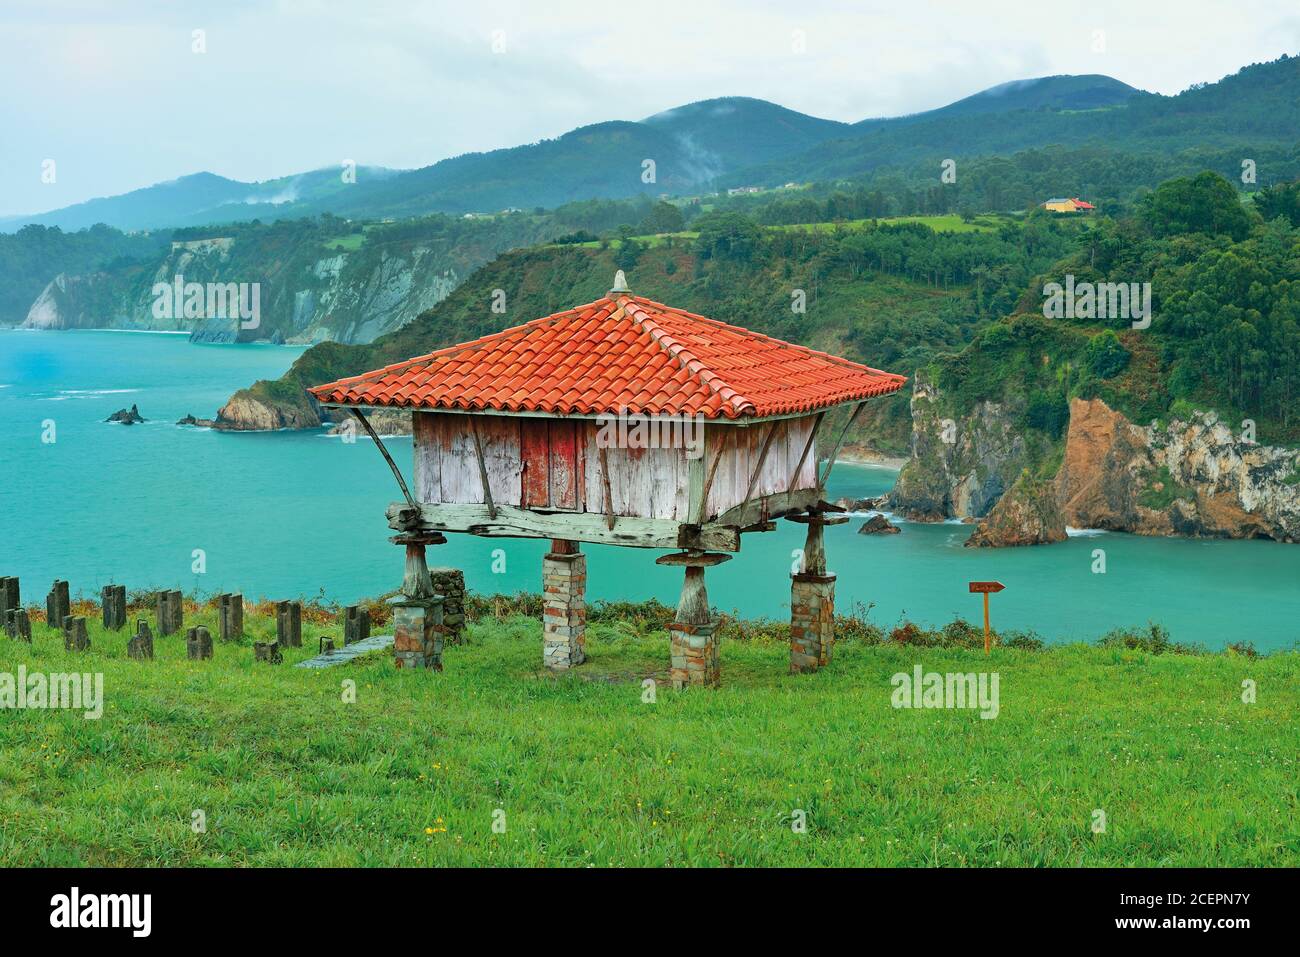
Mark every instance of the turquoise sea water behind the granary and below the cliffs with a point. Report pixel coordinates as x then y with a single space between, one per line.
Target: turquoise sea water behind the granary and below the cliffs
285 516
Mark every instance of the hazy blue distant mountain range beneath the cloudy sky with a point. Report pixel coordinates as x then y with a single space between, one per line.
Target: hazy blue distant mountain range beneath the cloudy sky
694 149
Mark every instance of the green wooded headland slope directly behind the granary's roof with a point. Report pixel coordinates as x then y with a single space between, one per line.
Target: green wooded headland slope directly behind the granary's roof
891 296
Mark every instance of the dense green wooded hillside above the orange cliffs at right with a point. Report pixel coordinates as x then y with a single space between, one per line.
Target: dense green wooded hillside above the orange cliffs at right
1224 335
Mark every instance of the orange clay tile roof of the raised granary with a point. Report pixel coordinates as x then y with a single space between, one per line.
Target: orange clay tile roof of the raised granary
619 354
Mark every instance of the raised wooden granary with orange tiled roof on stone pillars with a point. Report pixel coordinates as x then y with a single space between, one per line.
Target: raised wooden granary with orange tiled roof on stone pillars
622 422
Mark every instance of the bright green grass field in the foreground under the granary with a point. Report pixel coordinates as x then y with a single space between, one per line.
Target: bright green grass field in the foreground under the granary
587 773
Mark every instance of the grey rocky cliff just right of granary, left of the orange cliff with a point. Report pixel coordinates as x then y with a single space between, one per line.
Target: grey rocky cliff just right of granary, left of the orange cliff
957 469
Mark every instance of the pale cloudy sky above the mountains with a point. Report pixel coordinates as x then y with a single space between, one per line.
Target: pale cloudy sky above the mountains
116 94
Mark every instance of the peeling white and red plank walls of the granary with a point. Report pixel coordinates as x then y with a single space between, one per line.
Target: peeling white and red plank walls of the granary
557 465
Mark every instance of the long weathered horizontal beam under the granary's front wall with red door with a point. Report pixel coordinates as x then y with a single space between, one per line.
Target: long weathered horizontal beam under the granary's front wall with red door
512 522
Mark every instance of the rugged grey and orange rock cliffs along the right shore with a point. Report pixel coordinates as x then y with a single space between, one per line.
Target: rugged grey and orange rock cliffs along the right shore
1185 478
